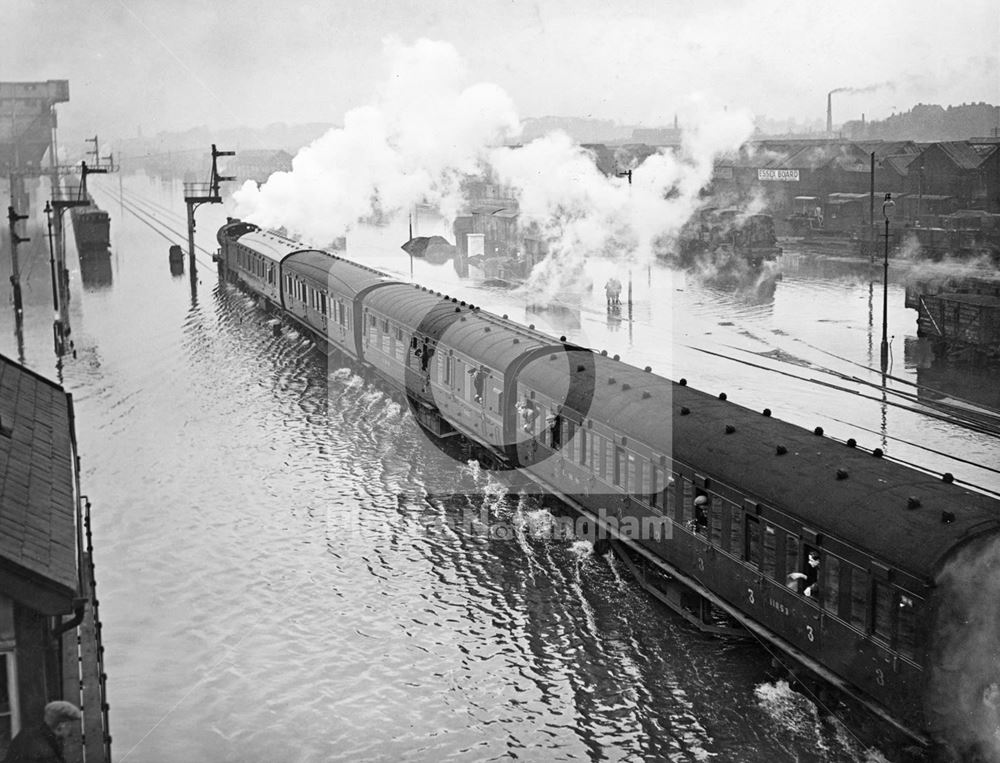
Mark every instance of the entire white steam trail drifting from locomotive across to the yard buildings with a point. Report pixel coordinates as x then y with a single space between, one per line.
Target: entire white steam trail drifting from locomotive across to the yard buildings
425 132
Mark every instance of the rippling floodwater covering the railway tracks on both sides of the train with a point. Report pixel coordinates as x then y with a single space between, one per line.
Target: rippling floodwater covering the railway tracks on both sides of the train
278 582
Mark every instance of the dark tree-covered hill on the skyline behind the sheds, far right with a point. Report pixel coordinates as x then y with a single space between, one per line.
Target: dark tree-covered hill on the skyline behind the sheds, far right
930 122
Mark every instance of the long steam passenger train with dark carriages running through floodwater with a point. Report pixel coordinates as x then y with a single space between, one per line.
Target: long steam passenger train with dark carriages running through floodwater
872 576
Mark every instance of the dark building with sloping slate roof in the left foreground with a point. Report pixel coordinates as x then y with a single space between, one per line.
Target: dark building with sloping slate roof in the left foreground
49 630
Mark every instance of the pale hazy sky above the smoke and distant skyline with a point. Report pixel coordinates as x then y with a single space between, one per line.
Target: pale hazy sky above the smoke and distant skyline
155 65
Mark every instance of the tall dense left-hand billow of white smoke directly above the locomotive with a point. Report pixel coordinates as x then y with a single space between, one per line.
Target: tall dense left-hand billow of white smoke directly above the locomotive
423 133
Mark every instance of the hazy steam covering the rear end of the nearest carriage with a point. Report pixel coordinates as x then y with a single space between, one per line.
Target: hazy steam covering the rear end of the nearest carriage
963 700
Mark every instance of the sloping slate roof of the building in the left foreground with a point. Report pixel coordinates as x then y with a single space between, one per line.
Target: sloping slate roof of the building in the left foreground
37 491
